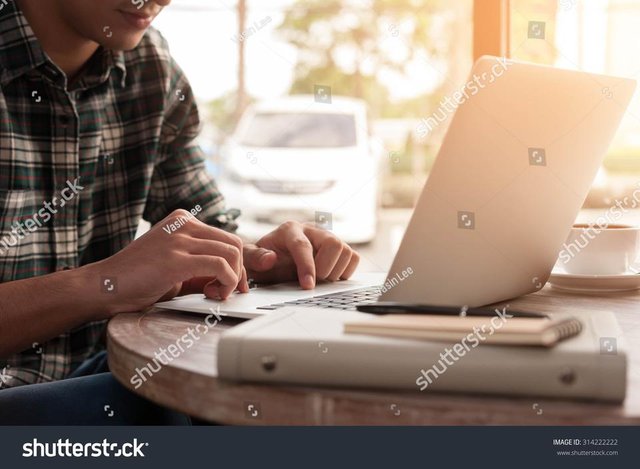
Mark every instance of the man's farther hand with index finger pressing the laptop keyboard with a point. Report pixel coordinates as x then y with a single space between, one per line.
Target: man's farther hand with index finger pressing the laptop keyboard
303 252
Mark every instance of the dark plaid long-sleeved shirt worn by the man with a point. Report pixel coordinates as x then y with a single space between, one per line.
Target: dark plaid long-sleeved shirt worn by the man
115 147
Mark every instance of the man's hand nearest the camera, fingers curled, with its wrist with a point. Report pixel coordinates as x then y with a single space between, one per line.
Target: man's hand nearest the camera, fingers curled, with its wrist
163 263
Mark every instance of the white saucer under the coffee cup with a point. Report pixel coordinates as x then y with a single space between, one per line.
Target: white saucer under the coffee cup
594 283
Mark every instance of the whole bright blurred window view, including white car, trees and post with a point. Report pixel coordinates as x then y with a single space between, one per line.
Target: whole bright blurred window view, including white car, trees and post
312 109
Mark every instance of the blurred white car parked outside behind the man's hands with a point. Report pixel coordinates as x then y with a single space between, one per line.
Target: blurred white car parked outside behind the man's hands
296 158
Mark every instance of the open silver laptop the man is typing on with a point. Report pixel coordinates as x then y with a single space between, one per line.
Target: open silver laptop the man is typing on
516 164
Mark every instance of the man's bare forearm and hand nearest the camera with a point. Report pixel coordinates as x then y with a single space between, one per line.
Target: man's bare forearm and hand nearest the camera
159 265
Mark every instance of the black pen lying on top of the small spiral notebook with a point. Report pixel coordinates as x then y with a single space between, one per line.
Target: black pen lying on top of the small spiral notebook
390 307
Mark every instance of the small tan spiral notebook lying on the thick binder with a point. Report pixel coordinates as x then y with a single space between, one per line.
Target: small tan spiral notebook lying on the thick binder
542 332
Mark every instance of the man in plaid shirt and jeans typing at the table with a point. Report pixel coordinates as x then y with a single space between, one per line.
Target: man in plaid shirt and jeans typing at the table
97 128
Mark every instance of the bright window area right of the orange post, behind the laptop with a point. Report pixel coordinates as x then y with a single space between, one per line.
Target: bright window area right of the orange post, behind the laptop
598 36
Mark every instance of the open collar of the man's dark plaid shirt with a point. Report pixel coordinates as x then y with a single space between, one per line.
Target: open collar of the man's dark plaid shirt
20 52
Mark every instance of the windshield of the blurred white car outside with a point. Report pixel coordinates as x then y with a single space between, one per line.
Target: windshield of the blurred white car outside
300 130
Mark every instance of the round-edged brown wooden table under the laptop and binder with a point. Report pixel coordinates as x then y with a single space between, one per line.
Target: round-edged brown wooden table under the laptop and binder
189 383
